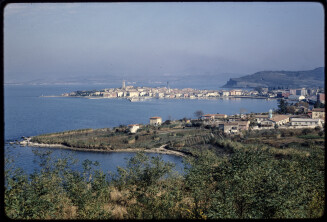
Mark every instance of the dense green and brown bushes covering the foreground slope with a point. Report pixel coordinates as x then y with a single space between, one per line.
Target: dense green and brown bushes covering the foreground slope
259 178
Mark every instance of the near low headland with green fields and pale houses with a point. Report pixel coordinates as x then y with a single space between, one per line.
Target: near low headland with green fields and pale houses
187 136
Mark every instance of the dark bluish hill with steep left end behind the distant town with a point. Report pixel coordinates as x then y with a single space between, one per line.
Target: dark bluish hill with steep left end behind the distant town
285 79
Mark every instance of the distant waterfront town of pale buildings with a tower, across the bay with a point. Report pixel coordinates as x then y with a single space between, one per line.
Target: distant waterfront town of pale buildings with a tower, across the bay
142 93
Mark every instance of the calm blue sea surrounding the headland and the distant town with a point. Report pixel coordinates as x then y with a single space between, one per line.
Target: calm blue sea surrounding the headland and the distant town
28 113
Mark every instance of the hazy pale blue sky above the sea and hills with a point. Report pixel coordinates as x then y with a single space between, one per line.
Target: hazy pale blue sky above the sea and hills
151 39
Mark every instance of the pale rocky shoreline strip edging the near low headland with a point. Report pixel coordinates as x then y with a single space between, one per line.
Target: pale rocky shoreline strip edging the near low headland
159 150
